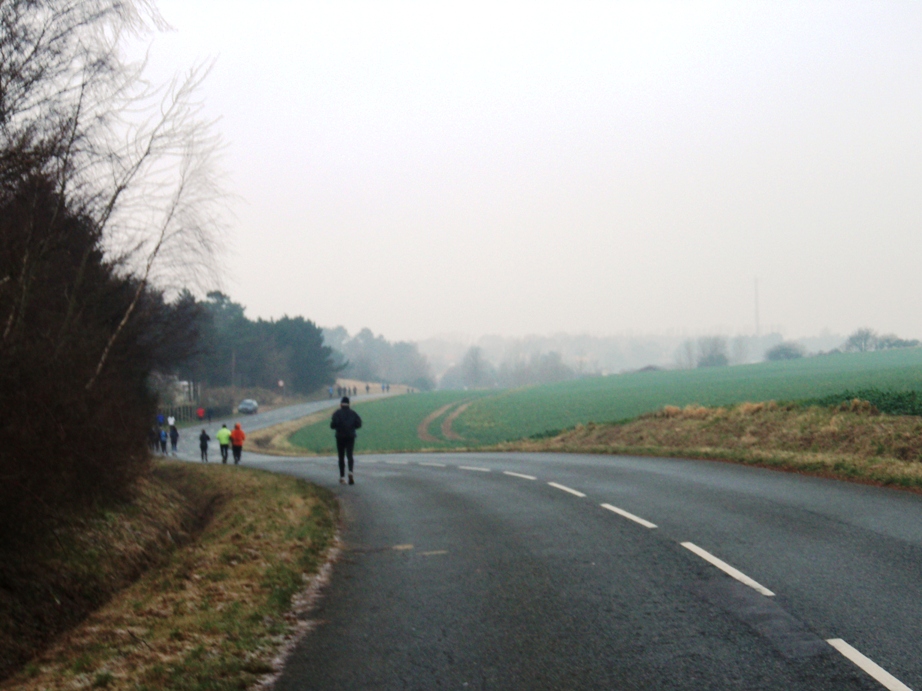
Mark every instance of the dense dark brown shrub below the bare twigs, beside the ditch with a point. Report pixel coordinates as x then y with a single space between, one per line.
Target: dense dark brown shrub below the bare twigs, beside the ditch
66 444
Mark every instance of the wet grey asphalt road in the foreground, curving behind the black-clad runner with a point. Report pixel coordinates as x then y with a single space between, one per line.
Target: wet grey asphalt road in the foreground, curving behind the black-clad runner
474 571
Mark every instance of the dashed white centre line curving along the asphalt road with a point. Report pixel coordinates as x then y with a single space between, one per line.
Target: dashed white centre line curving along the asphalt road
878 673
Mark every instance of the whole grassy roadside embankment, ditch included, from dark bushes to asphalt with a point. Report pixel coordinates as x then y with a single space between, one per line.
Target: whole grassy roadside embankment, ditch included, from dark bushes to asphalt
216 554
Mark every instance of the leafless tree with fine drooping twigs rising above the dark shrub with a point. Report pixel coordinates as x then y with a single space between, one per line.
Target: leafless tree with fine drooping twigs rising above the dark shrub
138 161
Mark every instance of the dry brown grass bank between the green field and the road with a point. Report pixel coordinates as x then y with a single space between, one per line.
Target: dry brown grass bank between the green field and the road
852 441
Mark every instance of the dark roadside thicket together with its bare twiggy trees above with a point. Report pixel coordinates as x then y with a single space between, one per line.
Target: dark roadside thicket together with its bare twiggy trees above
105 191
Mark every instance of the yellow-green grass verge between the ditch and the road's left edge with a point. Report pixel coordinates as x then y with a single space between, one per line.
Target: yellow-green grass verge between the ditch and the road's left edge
216 611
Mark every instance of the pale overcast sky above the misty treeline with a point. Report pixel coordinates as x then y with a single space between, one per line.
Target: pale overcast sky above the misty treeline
513 168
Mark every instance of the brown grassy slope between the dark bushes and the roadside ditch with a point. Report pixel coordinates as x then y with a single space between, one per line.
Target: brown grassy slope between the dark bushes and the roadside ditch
52 585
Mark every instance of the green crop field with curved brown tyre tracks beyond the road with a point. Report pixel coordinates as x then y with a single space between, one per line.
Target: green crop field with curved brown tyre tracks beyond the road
495 416
